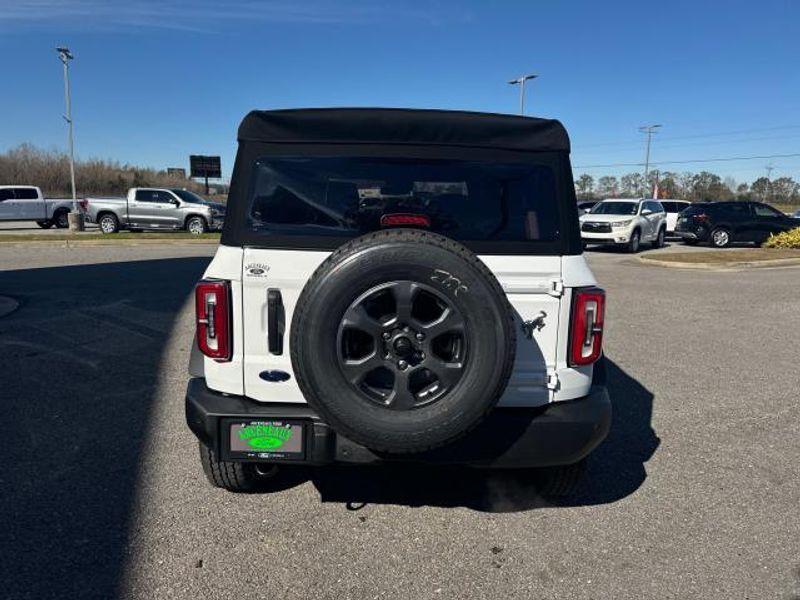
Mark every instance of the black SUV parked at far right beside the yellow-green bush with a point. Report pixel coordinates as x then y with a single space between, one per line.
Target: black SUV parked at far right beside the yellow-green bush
720 223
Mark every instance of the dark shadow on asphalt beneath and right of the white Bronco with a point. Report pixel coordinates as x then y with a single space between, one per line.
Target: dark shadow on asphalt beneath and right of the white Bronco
616 469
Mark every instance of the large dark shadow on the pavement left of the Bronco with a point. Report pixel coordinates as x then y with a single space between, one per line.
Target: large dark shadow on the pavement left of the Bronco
81 359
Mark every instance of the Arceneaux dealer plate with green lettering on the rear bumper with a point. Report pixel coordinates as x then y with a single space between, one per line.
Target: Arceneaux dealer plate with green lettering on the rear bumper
274 439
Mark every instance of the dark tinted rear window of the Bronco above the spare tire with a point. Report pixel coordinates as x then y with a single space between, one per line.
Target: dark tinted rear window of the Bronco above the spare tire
465 200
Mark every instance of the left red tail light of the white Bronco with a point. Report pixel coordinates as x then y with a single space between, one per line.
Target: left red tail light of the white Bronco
212 308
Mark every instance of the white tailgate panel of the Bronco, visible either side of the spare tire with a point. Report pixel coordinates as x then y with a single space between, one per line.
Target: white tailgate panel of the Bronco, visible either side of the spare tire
272 281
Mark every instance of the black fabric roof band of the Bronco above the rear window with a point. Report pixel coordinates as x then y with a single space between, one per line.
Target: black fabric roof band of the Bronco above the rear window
404 126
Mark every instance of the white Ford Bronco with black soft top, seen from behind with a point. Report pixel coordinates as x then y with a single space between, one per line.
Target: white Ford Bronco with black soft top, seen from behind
398 285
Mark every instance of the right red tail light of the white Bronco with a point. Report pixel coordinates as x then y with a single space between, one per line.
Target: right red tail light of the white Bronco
586 326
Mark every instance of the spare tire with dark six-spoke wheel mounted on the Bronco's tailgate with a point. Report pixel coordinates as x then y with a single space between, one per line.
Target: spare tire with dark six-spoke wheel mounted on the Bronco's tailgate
402 341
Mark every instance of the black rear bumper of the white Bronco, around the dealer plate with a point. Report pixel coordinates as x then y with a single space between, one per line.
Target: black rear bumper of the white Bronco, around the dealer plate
557 434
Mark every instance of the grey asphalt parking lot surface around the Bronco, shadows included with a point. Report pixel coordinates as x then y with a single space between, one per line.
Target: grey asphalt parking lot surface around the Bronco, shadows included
695 493
